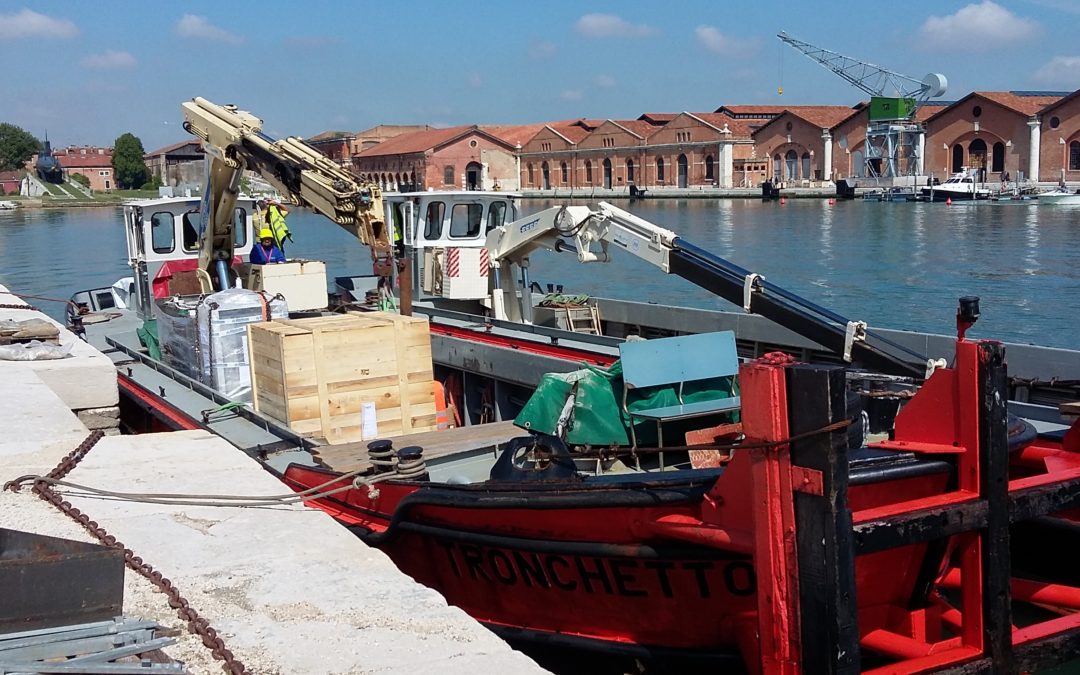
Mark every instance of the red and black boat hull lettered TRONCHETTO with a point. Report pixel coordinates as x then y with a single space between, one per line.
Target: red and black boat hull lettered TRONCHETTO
607 564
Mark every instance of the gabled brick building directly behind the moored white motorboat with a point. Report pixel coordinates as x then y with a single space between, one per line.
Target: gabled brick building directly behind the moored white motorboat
991 133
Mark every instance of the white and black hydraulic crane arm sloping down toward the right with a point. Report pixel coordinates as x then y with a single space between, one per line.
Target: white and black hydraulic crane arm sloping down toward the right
593 231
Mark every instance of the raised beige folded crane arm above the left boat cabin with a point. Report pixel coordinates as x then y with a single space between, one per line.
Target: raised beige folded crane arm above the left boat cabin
235 142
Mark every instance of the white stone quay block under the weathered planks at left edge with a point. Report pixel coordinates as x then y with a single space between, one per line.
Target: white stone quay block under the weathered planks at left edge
86 380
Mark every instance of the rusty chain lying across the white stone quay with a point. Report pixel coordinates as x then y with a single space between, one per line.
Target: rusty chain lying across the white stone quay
196 624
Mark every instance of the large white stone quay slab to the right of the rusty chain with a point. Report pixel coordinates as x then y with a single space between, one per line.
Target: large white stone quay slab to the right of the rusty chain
291 590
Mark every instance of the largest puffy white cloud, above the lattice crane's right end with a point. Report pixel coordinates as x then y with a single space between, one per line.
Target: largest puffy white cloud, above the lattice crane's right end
980 28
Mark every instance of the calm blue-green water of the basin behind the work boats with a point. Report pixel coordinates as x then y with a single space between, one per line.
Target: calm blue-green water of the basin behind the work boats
899 266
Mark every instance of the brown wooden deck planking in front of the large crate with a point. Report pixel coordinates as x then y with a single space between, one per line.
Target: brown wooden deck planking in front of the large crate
354 456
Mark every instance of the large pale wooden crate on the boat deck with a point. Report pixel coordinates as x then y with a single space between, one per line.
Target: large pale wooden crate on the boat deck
317 374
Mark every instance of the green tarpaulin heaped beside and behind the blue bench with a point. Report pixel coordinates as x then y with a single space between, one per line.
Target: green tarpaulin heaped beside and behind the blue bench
599 418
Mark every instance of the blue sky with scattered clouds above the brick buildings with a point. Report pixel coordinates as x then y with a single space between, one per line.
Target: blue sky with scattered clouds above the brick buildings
87 73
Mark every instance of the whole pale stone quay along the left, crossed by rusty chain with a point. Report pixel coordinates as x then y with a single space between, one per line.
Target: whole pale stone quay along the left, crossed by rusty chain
288 589
